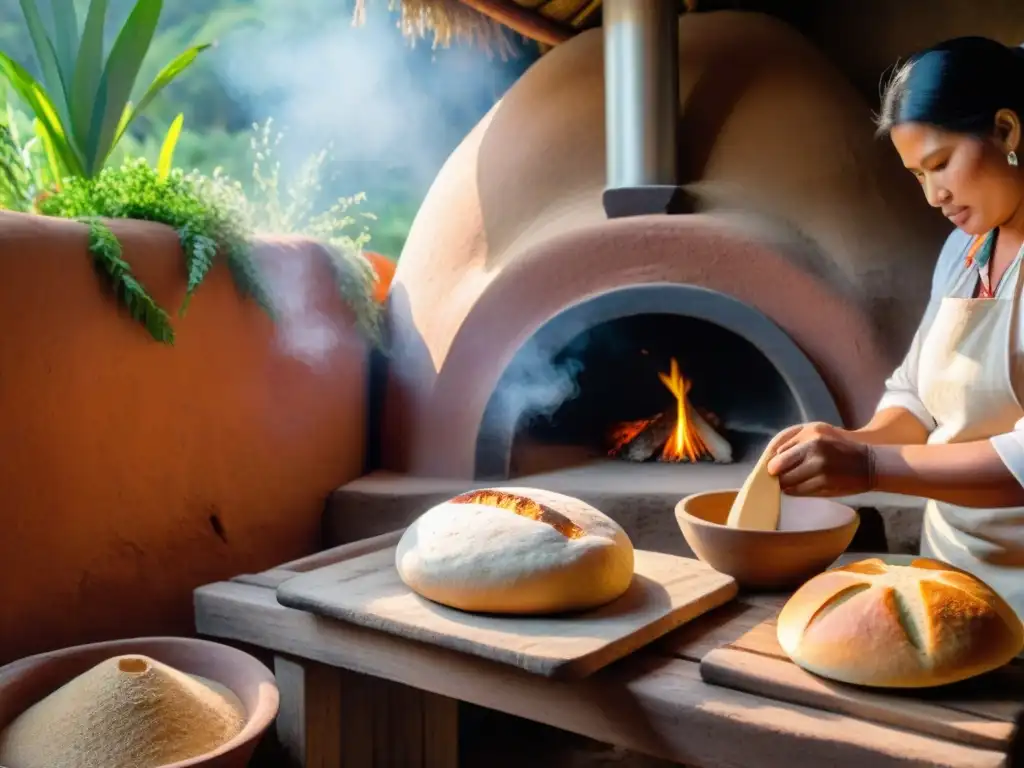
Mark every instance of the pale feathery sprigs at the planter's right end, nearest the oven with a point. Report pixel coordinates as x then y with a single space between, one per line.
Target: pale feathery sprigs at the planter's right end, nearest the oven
275 205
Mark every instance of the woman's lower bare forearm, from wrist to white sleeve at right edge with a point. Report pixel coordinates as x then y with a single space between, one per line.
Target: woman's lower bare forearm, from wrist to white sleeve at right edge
969 475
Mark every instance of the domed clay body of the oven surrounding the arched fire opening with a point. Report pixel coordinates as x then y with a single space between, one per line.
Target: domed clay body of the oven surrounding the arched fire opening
776 144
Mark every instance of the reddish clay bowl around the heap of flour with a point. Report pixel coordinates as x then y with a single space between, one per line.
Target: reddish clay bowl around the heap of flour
25 682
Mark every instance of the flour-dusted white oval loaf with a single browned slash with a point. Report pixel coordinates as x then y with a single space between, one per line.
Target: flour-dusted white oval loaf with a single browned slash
516 550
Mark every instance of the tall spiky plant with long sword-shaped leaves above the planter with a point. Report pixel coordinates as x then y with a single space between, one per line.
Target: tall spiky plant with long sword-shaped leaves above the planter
86 109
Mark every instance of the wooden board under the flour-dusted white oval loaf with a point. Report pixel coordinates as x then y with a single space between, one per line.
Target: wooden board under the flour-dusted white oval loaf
667 592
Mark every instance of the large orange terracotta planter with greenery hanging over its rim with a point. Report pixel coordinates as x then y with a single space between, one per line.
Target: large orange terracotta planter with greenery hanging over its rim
138 472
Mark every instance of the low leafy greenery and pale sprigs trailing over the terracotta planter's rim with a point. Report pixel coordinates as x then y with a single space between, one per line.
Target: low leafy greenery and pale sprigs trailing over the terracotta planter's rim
215 217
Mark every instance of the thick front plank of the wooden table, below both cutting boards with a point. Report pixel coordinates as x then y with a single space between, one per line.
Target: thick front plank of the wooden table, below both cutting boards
657 706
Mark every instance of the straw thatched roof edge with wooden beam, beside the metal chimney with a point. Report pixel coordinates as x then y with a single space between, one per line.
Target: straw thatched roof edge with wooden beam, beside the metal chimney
494 24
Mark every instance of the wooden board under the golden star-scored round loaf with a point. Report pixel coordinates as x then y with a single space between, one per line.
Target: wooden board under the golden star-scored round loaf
979 713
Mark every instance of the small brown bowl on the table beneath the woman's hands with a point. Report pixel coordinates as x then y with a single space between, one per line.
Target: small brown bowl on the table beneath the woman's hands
813 534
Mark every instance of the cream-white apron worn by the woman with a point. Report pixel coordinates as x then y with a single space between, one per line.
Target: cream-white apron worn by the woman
968 366
